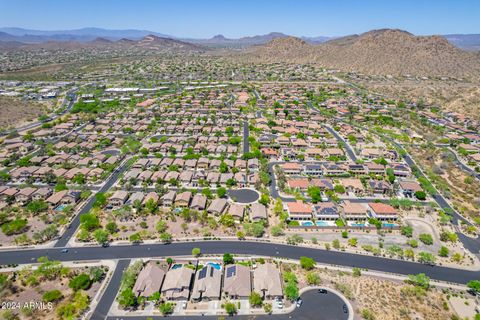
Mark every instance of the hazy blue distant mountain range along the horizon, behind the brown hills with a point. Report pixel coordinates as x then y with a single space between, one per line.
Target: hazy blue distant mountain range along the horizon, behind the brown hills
14 36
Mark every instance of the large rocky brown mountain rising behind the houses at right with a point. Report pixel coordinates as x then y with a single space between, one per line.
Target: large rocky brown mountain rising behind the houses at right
384 51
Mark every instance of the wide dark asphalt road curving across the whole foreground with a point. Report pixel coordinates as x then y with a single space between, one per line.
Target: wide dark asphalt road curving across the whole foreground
401 267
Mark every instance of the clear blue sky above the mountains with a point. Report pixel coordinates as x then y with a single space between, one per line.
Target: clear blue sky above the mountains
236 18
